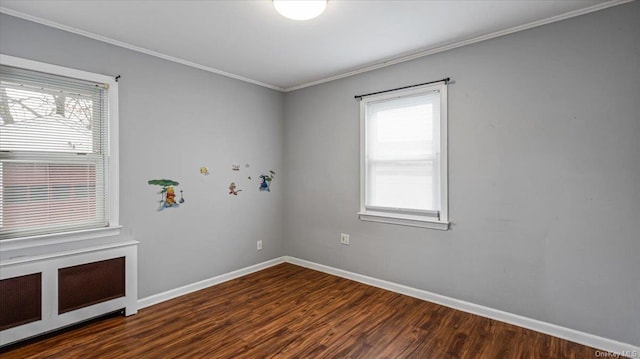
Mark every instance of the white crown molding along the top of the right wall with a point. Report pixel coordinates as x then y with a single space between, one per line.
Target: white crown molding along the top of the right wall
435 50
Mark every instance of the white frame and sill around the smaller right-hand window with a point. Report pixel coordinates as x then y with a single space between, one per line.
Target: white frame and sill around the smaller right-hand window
404 216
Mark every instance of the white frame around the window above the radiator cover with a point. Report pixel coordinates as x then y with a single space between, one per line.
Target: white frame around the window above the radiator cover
113 176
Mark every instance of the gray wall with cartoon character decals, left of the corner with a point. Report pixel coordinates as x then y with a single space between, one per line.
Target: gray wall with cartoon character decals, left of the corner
173 120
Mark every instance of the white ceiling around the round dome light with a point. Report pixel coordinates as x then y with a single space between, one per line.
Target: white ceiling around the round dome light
250 41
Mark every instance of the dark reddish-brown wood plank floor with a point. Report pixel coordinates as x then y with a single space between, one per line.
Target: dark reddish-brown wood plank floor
287 311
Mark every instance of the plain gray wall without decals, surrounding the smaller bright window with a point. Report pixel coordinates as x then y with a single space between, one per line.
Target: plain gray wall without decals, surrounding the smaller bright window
544 146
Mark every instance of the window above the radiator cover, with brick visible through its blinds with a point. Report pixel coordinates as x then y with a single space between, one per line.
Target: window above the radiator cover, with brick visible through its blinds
58 162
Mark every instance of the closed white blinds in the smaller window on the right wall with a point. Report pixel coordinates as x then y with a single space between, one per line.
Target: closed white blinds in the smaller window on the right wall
402 154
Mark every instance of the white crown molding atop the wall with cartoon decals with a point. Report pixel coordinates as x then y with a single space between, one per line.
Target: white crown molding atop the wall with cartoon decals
125 45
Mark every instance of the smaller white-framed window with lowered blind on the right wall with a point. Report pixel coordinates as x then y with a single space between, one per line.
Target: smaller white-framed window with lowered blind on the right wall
404 157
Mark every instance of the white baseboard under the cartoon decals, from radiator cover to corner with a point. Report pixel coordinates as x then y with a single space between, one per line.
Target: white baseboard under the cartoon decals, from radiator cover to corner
189 288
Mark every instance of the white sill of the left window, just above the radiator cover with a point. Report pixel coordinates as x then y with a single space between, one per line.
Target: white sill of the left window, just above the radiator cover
43 241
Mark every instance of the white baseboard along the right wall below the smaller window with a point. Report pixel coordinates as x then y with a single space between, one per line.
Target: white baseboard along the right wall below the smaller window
529 323
